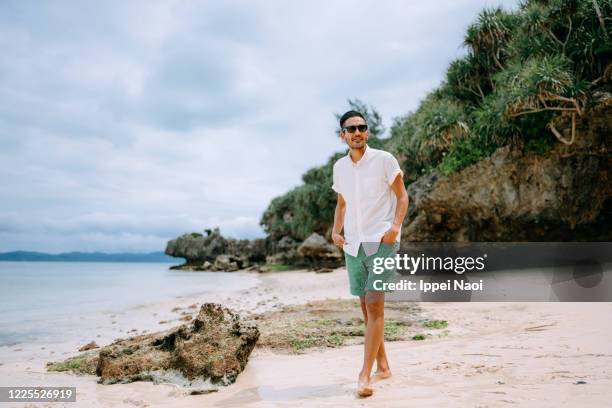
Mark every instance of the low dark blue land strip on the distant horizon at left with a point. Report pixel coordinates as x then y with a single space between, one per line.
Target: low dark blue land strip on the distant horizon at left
85 257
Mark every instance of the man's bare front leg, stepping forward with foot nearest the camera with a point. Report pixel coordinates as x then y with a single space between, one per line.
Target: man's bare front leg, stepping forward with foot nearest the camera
375 308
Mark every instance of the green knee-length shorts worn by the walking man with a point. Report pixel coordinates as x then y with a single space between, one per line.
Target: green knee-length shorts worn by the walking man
368 273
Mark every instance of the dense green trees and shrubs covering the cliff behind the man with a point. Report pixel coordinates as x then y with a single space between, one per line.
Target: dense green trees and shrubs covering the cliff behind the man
522 69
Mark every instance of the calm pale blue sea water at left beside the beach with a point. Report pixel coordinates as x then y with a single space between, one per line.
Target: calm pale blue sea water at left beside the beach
42 301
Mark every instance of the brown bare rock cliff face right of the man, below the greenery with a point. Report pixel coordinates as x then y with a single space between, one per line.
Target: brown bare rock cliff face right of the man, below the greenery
563 195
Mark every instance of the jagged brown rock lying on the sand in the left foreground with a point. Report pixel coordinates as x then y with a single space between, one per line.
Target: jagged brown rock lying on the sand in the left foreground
213 349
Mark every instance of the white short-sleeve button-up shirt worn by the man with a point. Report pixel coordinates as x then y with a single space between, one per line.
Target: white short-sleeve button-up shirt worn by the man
370 202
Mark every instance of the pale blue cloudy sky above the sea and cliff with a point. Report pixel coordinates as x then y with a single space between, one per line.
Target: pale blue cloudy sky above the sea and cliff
126 124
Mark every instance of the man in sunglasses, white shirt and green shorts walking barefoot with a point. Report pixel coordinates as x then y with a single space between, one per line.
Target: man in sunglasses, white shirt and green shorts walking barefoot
371 205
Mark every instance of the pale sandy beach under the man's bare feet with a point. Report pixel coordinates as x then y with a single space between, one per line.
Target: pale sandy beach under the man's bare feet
493 354
